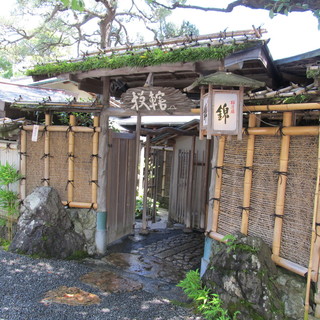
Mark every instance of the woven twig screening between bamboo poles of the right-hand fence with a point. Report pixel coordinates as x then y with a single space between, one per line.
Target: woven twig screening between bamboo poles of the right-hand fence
299 197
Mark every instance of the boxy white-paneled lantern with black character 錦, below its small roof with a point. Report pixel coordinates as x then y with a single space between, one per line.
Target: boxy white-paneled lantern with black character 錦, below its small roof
221 113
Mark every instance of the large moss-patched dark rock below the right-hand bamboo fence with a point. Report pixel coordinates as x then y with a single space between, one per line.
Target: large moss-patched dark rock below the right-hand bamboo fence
245 277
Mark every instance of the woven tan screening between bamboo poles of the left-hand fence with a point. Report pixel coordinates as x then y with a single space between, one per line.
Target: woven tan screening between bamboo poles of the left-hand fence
58 164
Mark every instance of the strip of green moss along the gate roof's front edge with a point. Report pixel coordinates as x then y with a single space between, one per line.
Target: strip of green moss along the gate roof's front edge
139 59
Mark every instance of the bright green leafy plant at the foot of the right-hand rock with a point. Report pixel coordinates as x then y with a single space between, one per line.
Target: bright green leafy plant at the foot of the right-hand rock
207 303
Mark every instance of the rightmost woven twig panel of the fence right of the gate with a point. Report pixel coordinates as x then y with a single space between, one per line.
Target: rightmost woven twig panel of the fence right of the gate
301 184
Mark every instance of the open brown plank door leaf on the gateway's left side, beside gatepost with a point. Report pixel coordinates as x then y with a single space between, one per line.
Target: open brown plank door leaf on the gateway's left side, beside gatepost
121 188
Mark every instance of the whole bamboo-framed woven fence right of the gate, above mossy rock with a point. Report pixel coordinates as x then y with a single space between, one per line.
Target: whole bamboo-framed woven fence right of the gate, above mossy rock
266 154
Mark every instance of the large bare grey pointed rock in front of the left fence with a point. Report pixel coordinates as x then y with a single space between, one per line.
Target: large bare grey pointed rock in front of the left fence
44 227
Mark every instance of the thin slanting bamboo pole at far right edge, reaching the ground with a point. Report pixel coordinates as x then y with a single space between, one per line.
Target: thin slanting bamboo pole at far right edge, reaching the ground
314 236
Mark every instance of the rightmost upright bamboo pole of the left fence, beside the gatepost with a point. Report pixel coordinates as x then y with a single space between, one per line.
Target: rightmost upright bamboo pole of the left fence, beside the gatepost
95 150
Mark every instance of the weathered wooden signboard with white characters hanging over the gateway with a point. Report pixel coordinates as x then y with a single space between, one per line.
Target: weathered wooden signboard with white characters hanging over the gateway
156 99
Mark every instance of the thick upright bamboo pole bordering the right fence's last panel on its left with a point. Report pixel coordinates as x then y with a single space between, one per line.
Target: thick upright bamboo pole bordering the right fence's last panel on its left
282 182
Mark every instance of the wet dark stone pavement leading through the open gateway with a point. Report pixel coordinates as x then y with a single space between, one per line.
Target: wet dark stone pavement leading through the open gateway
154 263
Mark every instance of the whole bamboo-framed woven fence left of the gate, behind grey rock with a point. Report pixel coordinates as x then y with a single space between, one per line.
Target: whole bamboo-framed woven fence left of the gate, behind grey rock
51 136
